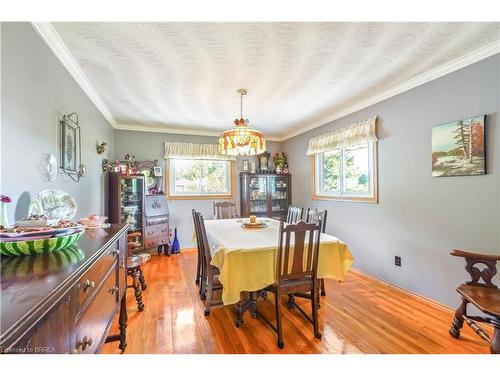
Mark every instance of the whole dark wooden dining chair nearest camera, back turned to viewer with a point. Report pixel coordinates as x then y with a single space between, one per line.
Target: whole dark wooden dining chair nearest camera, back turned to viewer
296 273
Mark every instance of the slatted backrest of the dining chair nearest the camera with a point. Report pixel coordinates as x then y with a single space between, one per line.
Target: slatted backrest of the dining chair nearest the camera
302 233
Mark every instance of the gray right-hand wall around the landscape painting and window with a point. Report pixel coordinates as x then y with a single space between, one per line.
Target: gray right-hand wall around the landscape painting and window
419 217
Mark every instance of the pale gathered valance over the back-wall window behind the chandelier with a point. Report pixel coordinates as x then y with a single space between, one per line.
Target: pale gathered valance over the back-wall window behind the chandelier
181 150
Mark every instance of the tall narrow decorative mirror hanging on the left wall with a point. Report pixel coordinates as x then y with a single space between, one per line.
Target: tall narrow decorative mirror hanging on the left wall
71 152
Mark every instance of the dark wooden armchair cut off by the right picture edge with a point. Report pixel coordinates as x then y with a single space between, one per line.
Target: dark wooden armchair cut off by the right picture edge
483 295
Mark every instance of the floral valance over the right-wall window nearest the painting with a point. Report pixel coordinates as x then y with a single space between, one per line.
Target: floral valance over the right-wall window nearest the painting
350 135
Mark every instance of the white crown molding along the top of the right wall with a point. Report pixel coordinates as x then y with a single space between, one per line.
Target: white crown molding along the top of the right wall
451 66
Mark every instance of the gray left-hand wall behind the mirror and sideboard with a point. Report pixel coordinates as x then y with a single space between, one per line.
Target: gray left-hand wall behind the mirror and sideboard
36 91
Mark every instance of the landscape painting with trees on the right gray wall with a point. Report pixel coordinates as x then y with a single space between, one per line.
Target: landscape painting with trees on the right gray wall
458 148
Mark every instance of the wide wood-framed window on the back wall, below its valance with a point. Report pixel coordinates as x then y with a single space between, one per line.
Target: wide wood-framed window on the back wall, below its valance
200 179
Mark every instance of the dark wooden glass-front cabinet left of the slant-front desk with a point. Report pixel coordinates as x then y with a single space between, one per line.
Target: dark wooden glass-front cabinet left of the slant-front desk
126 205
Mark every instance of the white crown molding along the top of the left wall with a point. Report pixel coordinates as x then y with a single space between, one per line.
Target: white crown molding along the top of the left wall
58 47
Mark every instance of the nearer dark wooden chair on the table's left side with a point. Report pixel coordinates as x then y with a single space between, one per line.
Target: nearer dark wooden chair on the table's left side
210 278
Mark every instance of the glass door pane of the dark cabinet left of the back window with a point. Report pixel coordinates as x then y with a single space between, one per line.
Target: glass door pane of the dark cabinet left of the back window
132 195
